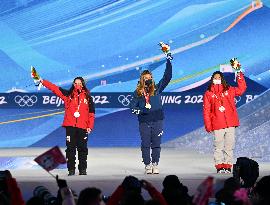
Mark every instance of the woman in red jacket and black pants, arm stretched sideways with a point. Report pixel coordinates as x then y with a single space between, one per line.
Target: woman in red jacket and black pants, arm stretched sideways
78 121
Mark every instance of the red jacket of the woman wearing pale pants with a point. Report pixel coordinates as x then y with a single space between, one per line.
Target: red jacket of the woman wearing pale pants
214 118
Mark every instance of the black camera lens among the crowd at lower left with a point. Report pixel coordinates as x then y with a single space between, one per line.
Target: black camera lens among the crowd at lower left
43 193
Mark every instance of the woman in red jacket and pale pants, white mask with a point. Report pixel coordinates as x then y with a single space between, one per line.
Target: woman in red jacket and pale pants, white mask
221 118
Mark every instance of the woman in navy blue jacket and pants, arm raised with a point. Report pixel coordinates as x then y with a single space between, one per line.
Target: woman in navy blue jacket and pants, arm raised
146 103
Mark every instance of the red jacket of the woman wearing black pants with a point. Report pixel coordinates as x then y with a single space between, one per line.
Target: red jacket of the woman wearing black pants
86 109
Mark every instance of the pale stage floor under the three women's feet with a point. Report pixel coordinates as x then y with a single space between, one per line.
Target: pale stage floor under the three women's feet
107 167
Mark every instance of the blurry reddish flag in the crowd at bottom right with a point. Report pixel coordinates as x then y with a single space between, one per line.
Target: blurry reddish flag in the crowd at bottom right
204 192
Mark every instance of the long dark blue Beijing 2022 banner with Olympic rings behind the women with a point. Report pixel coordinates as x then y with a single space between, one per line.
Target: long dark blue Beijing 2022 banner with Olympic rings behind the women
108 100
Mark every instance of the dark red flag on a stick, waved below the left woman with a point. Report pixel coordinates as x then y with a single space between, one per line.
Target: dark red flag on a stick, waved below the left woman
51 159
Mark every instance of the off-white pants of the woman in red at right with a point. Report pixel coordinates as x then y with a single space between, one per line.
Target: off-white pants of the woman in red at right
224 143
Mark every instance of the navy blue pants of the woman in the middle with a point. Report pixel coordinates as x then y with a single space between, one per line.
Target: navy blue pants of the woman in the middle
151 133
